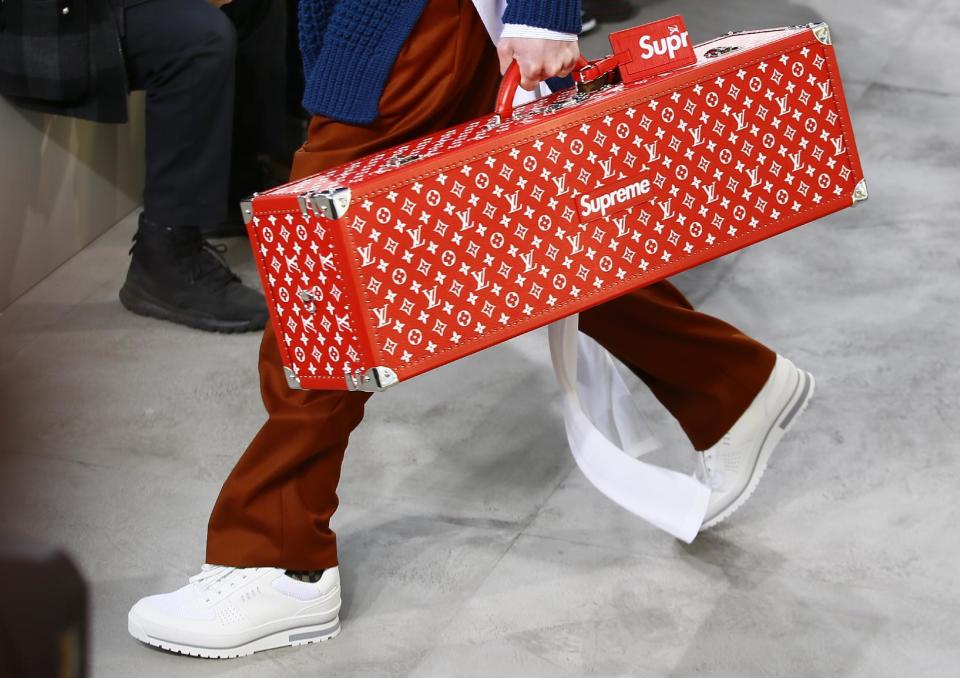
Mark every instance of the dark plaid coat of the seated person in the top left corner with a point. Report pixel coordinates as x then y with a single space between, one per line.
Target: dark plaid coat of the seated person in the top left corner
65 57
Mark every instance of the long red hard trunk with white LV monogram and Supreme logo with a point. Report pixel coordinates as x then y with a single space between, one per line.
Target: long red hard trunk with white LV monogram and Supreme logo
400 262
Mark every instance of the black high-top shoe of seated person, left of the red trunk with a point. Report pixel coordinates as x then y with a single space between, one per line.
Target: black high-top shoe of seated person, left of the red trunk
178 276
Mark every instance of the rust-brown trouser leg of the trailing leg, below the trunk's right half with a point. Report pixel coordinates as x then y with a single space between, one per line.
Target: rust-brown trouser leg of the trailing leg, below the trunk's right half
704 371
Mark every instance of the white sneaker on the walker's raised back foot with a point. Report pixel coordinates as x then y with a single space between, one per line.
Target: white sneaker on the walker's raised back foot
733 467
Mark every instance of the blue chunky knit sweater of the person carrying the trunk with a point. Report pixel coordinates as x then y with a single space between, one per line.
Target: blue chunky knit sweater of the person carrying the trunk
349 47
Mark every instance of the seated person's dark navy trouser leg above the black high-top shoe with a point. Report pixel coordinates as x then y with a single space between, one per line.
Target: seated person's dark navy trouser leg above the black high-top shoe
182 53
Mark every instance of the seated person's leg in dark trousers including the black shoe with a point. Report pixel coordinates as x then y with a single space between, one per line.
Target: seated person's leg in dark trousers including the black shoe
182 53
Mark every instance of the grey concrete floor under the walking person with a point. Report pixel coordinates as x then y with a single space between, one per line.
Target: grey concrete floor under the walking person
471 545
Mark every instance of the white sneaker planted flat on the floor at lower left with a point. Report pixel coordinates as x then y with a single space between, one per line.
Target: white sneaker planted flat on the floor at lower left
231 612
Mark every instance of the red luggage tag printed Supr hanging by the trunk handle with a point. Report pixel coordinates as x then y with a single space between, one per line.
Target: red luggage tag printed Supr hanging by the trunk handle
653 48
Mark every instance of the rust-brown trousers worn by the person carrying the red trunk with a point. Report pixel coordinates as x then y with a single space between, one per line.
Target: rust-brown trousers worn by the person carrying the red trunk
274 509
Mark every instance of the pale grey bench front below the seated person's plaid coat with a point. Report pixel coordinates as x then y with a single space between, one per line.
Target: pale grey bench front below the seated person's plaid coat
63 182
